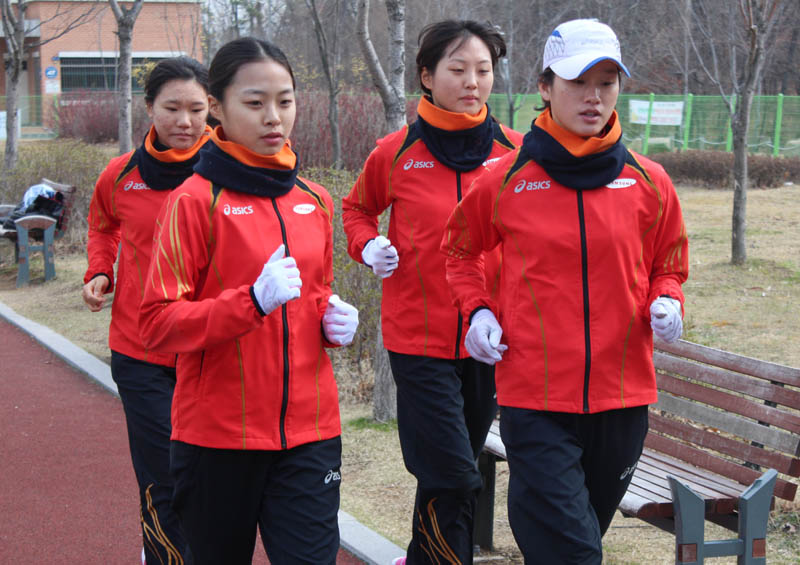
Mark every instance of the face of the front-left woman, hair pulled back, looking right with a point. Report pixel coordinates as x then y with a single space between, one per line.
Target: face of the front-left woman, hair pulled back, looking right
259 107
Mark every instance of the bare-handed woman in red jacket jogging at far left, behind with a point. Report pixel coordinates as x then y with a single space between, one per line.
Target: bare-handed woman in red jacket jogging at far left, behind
122 217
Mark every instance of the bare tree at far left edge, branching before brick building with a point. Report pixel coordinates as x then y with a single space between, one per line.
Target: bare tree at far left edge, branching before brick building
16 28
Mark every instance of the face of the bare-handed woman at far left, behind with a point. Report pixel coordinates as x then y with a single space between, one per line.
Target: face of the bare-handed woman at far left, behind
179 113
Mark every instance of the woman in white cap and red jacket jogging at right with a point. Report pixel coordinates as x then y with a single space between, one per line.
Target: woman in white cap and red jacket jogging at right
594 255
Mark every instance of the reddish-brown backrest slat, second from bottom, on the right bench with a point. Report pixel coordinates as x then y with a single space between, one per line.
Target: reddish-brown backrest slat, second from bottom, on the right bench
737 449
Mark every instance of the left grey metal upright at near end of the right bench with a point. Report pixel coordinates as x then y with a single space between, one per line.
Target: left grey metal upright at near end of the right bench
689 523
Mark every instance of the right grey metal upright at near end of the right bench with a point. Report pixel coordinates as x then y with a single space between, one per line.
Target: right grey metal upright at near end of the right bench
753 516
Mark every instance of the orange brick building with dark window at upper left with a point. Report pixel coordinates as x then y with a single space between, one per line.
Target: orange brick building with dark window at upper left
85 58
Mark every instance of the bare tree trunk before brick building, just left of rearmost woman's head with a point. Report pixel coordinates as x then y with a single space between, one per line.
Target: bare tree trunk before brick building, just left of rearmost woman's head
126 19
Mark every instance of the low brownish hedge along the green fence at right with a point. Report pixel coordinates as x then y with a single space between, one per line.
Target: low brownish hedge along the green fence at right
714 169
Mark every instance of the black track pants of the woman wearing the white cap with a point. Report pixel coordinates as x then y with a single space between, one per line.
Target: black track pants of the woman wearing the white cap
568 473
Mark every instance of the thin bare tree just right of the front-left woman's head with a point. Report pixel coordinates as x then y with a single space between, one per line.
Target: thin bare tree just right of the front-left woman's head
329 54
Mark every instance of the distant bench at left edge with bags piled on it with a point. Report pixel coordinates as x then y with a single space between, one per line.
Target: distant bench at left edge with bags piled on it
39 228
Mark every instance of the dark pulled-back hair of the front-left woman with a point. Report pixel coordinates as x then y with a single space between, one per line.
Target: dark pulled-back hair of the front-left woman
236 53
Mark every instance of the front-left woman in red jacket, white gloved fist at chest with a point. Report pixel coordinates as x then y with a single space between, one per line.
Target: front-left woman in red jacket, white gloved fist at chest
240 288
